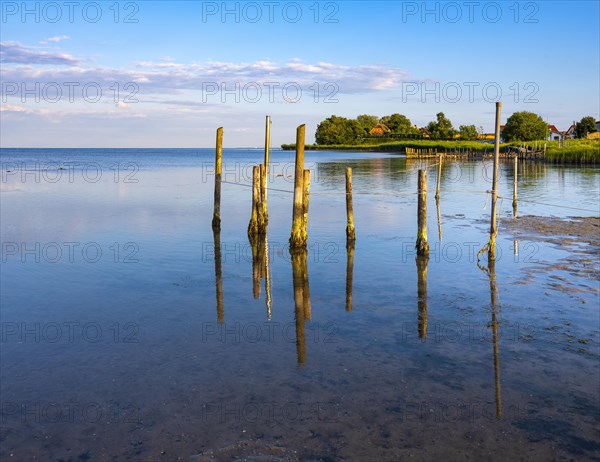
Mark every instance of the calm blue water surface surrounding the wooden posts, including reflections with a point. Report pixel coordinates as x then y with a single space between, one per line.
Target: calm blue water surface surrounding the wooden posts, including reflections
124 338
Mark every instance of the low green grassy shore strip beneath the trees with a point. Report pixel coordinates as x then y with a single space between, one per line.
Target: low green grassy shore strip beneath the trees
574 152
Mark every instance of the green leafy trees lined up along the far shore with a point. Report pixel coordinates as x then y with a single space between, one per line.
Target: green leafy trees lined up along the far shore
521 126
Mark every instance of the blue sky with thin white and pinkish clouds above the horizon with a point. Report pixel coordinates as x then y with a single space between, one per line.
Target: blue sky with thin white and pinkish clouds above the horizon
168 74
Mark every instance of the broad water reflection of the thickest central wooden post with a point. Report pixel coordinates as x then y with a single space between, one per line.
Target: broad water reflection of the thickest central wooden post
301 299
